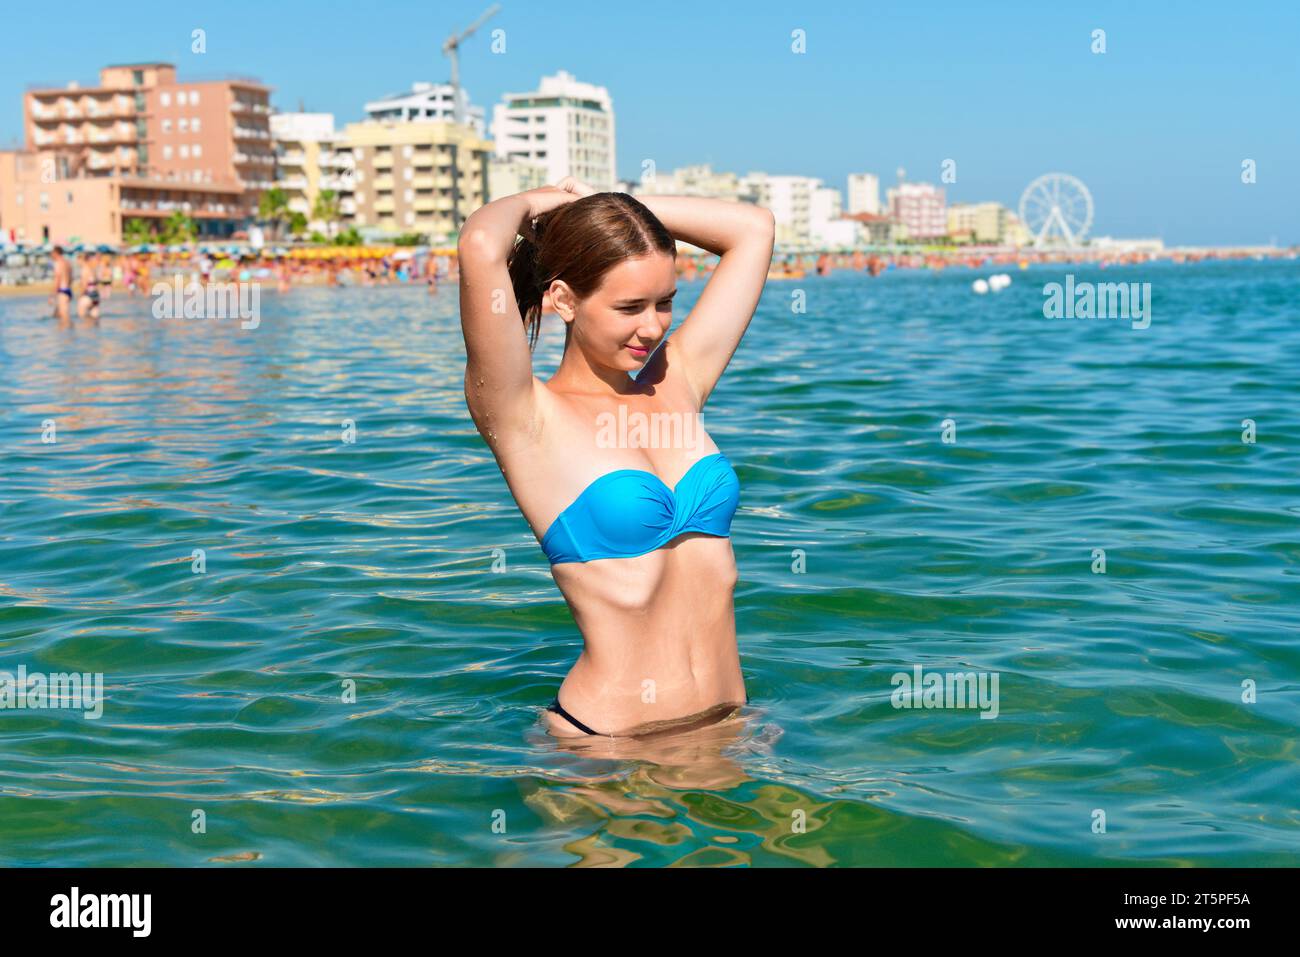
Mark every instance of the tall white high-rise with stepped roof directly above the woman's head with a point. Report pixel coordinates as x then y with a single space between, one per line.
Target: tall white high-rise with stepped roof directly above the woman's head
565 125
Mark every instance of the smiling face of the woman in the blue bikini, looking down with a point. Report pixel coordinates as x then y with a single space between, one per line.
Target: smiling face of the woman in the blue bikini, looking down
626 318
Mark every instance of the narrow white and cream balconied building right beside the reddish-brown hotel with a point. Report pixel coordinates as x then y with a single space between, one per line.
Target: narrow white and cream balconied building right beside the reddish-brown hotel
309 161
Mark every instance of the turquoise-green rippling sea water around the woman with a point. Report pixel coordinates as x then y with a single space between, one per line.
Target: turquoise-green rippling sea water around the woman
1160 696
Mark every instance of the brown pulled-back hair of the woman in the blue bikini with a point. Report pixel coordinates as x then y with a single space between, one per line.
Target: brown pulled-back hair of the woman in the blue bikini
579 243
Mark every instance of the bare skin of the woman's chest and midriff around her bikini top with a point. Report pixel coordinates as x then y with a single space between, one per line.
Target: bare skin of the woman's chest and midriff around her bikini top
660 629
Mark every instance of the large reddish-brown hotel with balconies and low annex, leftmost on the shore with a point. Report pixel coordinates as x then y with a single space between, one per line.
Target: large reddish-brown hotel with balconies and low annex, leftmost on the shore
140 146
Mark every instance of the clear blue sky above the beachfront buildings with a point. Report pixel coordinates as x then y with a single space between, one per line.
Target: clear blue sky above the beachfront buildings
1158 127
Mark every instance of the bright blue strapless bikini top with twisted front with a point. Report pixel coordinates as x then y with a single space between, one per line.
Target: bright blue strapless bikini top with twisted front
631 512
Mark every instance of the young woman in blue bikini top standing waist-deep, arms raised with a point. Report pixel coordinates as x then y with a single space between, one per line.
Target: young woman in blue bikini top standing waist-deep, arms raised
636 531
